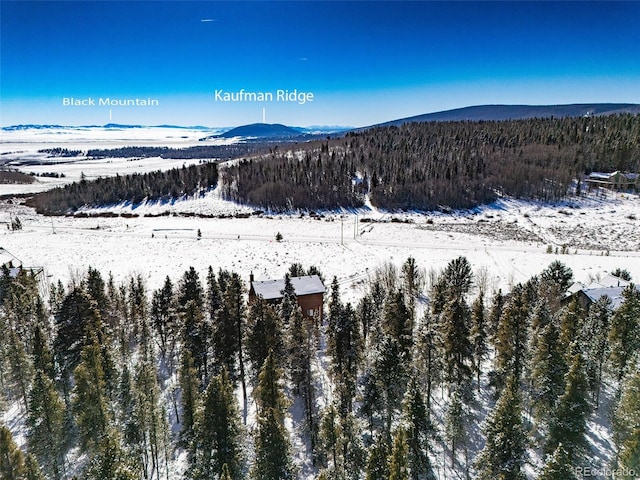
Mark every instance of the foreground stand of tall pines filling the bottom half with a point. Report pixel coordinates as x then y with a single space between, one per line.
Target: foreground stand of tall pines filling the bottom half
128 380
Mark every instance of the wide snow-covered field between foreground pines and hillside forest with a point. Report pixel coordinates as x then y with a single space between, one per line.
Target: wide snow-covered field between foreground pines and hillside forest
507 240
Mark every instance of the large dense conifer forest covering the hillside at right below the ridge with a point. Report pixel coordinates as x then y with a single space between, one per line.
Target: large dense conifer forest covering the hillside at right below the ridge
429 165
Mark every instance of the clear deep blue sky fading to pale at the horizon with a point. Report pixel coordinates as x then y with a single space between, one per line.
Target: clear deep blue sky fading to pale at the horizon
365 62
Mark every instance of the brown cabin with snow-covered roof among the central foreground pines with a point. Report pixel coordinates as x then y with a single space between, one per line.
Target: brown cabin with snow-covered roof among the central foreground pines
309 291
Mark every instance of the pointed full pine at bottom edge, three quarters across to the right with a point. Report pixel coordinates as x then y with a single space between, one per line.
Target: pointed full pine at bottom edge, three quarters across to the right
504 452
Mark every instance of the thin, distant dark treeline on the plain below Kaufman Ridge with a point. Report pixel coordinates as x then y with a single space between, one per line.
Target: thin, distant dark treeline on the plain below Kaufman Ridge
200 151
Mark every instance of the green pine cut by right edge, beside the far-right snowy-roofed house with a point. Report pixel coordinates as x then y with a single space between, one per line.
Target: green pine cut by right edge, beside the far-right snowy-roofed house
624 336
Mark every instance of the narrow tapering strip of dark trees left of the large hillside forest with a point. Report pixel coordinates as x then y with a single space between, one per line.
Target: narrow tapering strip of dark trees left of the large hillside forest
133 188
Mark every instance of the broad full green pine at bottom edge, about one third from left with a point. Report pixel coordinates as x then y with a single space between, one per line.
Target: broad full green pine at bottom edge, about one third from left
218 438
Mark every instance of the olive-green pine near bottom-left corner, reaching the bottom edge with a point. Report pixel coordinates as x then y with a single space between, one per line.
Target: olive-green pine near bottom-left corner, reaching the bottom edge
46 417
